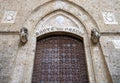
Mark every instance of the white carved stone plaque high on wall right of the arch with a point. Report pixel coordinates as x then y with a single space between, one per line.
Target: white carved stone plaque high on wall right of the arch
109 17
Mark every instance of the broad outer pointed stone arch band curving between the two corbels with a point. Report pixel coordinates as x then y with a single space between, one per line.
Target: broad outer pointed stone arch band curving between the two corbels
41 11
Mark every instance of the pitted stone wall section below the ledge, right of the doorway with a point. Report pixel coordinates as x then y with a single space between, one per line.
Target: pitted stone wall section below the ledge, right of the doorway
112 56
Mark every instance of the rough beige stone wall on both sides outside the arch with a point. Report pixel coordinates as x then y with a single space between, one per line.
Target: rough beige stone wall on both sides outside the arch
9 39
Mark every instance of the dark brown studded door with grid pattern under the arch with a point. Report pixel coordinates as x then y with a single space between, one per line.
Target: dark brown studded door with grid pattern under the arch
60 59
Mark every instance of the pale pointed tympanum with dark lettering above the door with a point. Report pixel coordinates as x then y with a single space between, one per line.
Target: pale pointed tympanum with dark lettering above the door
60 21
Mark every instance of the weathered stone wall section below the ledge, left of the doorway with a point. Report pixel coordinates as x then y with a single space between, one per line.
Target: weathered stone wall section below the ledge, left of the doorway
8 54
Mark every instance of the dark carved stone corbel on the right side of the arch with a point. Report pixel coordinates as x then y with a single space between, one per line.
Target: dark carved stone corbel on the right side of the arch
95 36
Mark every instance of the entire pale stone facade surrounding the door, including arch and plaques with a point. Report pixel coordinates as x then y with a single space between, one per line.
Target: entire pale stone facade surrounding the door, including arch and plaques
71 17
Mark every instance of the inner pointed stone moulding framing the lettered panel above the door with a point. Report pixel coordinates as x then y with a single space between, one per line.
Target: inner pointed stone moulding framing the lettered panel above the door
79 25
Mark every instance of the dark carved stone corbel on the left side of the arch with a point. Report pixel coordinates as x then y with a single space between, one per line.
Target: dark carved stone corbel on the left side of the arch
23 35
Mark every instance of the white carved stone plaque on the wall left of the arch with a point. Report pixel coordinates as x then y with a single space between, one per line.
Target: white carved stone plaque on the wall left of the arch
9 17
